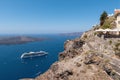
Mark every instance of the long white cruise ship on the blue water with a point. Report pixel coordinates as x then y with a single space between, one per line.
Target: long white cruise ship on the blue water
33 54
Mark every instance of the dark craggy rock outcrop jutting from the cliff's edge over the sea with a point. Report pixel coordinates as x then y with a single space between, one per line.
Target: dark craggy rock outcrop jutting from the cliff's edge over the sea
72 49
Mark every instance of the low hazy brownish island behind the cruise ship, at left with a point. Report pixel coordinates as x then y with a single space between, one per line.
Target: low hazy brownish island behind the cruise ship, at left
18 40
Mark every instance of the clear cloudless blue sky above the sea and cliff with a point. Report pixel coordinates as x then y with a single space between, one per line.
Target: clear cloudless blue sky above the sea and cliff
52 16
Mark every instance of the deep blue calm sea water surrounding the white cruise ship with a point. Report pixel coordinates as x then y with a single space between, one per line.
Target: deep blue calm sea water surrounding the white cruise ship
14 68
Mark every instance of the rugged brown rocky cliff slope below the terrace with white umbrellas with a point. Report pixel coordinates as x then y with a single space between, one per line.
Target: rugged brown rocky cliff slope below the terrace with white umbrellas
87 58
